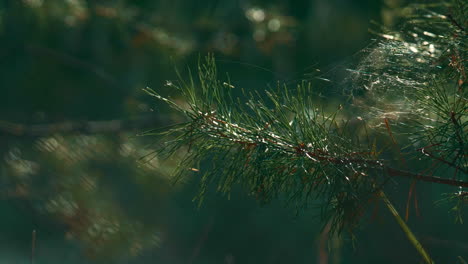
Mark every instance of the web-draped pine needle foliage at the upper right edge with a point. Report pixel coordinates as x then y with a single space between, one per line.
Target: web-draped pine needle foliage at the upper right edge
416 77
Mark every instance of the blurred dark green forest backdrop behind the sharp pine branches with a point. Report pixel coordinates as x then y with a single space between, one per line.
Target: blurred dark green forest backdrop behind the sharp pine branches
71 105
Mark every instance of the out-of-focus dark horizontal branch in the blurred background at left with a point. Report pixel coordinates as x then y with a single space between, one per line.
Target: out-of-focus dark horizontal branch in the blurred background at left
8 129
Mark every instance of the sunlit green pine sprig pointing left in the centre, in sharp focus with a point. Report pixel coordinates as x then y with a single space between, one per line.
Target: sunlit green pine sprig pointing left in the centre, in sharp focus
277 145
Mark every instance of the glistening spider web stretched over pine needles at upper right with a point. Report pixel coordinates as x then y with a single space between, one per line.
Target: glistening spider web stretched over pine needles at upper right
391 79
